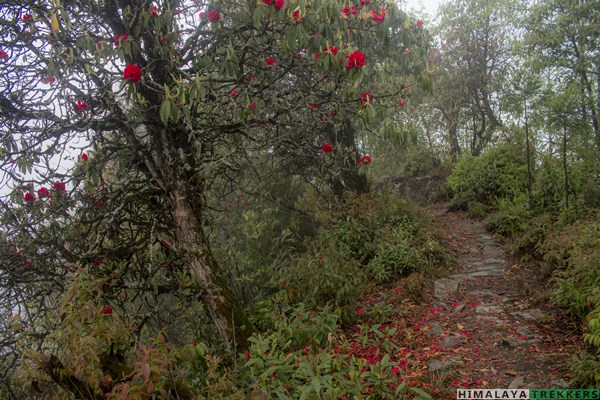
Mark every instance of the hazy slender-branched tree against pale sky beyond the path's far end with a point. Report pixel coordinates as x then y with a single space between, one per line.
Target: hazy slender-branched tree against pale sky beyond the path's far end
473 63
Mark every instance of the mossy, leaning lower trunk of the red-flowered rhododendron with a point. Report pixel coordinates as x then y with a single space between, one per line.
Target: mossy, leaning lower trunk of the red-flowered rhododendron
227 313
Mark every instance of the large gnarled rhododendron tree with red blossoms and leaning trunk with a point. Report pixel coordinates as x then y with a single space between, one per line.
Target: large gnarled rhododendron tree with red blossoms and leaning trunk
179 104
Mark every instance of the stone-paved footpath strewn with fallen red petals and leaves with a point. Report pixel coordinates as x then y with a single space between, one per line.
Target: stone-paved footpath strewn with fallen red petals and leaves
492 335
